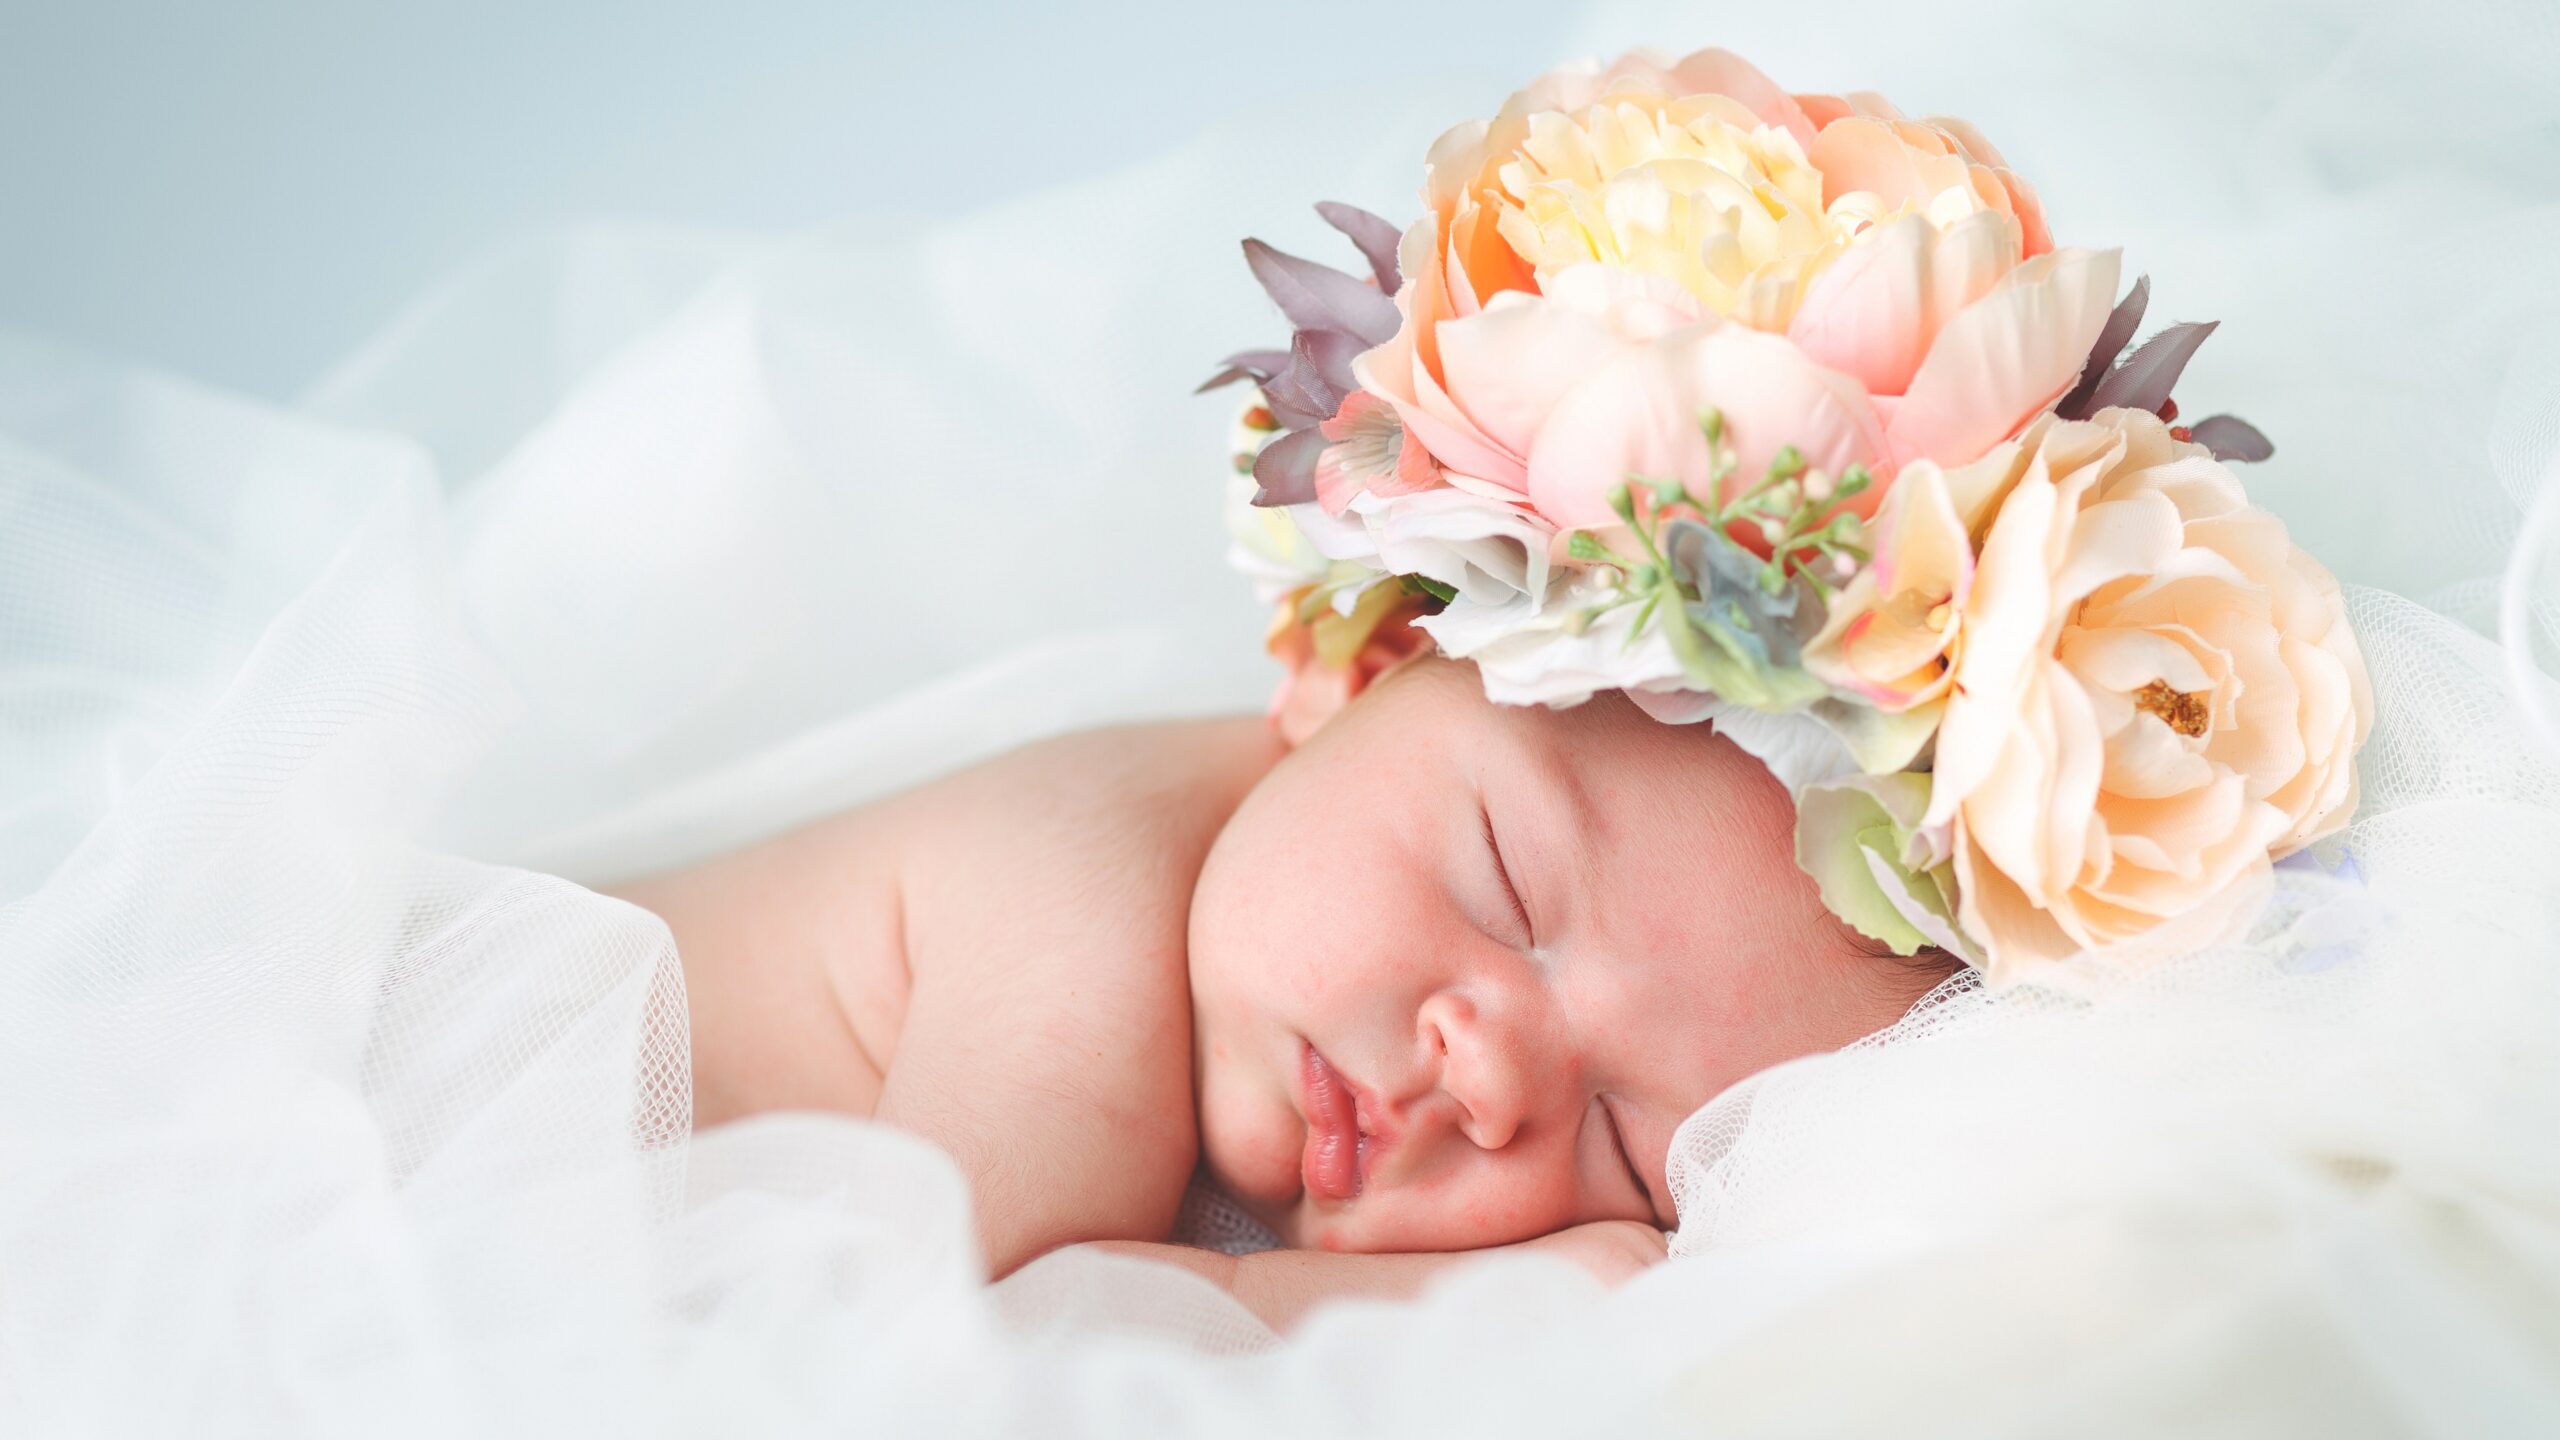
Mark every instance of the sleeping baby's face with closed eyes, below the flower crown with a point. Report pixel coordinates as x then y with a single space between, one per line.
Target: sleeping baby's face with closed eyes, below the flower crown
1460 970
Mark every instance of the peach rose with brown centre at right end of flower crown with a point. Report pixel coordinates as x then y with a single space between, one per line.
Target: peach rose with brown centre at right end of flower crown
2157 693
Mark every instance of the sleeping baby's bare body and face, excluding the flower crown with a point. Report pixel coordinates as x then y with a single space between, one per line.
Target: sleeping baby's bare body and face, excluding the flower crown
1440 980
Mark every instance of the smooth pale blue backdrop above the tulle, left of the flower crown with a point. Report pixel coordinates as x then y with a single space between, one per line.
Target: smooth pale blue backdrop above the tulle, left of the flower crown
242 191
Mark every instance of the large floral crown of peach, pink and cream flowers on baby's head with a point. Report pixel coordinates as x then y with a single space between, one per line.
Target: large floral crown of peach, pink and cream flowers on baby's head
1788 414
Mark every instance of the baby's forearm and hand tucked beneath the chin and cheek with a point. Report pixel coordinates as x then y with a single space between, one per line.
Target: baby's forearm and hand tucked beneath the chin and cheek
1281 1288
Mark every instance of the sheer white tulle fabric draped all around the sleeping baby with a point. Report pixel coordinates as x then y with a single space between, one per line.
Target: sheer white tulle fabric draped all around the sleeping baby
326 1106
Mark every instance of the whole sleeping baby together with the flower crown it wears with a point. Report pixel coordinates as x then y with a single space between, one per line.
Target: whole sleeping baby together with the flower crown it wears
1865 455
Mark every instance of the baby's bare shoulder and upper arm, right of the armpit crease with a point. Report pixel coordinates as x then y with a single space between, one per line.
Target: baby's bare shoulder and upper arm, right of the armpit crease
1048 1039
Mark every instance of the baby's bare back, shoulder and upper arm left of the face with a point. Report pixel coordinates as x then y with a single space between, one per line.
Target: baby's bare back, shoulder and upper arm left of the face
992 962
